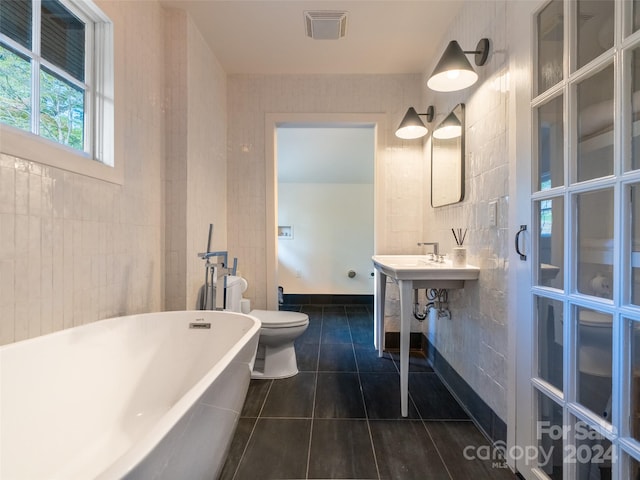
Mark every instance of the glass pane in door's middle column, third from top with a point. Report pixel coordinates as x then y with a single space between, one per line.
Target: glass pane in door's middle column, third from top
594 272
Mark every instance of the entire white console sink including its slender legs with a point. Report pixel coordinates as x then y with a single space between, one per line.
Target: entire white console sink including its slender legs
411 272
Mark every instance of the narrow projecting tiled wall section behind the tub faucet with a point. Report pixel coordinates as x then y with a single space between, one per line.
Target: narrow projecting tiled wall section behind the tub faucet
196 183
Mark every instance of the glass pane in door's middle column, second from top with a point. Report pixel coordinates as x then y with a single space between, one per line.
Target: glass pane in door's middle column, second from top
595 111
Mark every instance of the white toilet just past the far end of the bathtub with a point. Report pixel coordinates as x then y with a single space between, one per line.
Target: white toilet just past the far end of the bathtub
276 356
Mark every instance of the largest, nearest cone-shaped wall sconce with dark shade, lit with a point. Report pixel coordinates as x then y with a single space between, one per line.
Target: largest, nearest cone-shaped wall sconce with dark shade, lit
453 71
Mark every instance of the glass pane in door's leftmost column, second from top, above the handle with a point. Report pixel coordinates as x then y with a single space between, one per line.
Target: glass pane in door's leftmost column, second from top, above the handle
550 162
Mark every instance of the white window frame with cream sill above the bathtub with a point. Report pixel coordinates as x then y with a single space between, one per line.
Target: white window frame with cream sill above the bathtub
98 156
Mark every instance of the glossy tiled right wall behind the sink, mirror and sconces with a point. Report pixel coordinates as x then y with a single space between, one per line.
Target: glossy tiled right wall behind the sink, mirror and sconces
475 341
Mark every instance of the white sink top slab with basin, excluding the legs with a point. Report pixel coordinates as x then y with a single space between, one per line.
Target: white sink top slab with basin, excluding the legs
424 272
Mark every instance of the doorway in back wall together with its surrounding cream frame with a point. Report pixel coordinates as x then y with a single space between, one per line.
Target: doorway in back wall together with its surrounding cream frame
320 251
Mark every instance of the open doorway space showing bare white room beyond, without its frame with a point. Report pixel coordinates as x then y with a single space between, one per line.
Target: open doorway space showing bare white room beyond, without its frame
325 212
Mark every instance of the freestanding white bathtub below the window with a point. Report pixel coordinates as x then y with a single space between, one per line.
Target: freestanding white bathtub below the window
143 396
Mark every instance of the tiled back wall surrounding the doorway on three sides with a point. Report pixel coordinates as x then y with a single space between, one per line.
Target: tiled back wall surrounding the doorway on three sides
400 166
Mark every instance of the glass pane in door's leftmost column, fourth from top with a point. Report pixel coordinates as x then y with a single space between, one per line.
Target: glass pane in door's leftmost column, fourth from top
550 342
